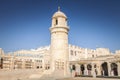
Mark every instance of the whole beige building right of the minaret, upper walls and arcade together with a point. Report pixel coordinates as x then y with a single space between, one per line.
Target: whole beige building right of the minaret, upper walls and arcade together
89 62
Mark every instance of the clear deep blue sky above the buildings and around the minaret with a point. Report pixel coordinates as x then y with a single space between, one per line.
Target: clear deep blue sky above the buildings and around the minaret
24 24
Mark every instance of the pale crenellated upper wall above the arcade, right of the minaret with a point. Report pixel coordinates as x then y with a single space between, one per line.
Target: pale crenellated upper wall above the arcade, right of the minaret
77 53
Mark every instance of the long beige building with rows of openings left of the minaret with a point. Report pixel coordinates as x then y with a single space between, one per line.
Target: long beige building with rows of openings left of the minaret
27 59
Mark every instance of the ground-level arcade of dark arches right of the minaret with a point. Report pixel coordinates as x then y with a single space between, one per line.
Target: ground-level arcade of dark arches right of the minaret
99 68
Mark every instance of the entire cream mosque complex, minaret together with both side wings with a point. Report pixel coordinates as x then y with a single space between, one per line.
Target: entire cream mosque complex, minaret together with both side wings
62 57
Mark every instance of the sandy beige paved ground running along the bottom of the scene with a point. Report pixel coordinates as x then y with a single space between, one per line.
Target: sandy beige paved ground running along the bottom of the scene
36 75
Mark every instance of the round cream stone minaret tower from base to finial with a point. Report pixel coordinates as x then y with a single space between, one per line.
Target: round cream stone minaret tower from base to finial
59 44
